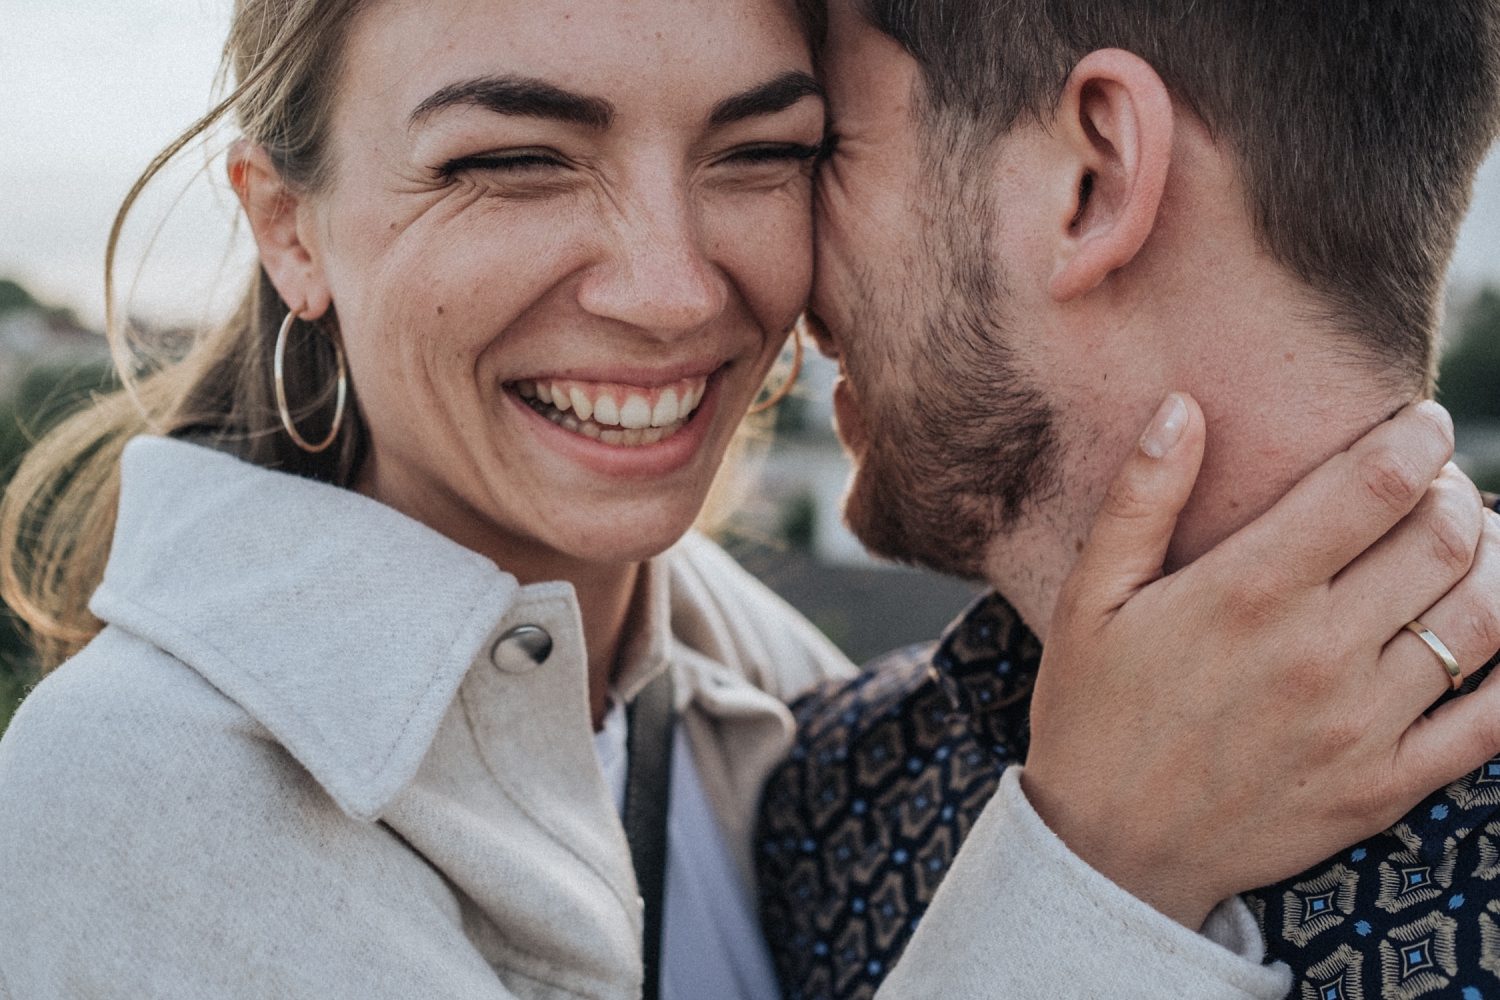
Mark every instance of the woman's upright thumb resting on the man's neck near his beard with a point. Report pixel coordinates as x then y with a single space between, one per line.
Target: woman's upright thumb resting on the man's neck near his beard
1130 537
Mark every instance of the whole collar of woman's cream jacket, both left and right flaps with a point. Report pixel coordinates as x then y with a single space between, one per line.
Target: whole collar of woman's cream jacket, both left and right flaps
346 627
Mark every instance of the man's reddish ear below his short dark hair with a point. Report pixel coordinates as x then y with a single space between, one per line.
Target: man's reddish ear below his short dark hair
1115 124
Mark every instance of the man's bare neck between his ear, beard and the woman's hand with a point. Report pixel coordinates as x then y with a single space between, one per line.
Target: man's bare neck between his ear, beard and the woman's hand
1202 308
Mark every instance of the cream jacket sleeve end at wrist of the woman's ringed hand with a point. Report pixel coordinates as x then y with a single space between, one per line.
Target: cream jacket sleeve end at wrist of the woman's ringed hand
1019 915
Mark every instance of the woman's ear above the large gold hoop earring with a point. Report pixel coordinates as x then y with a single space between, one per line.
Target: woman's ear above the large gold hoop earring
278 220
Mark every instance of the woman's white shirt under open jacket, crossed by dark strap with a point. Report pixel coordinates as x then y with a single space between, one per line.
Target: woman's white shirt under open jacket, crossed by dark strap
712 942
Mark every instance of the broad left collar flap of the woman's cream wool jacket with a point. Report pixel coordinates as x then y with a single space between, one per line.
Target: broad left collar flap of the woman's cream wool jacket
337 623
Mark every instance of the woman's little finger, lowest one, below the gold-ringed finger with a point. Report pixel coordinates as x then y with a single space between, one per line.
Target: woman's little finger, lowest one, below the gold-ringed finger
1451 741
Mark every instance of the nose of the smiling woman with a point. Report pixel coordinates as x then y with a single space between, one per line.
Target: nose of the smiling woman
658 277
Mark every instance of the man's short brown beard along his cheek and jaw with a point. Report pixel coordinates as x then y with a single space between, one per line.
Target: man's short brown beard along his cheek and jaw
962 443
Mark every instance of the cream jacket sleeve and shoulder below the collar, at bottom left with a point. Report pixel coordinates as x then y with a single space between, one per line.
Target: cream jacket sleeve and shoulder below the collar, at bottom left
173 851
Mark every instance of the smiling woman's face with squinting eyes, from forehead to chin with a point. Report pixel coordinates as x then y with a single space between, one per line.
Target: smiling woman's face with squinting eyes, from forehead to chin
565 242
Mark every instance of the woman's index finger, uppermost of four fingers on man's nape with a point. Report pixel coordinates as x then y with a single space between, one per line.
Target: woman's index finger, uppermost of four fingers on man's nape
1346 504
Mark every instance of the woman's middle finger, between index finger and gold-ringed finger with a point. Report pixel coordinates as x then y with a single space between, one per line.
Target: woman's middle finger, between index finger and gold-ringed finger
1417 563
